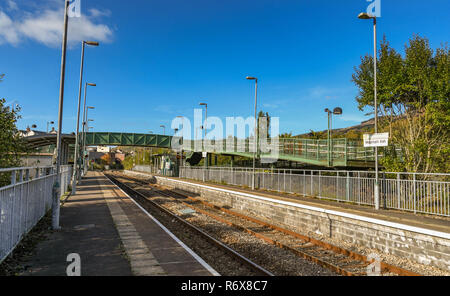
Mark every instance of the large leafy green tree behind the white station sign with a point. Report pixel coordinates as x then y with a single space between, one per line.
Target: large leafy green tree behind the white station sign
413 102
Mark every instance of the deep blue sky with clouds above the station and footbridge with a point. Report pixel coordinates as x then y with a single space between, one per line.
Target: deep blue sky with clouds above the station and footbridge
160 58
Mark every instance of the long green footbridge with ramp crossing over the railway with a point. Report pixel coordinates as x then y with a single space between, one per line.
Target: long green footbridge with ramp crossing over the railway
338 153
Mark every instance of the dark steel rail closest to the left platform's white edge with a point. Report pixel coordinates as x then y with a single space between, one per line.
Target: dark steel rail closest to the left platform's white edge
214 241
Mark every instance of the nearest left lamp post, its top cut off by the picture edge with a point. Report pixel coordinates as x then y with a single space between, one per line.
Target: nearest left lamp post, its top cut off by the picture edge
56 187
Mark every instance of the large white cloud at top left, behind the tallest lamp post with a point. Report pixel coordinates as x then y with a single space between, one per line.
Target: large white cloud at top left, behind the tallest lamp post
46 27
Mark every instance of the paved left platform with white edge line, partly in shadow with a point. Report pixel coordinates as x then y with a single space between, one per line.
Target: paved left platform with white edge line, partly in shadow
113 236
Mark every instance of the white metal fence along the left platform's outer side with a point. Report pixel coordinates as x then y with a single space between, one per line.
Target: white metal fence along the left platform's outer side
25 201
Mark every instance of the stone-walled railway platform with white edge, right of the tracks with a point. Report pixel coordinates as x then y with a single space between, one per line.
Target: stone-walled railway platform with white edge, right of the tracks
396 236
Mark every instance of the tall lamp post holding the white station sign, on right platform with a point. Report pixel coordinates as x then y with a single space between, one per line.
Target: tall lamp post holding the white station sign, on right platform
366 16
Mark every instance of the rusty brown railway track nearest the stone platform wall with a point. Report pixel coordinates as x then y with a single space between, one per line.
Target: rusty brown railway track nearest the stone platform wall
334 258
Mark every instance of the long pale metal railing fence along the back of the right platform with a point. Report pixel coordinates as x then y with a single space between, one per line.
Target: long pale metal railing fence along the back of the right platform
418 193
